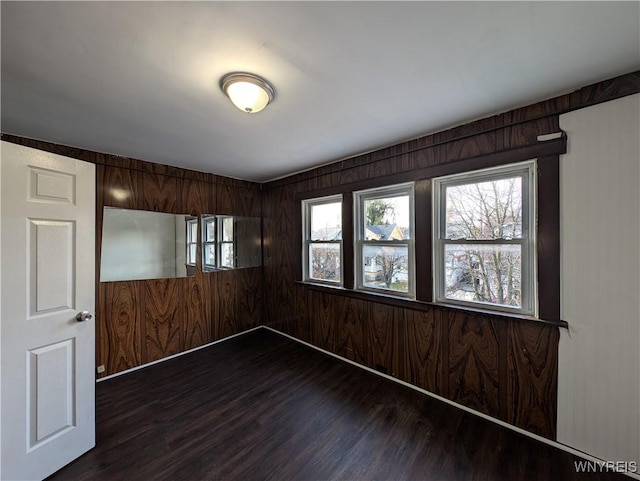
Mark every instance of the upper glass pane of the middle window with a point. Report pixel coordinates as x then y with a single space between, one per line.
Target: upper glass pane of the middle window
387 218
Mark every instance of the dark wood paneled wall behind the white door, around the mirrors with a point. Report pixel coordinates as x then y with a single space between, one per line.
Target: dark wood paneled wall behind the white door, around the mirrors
143 321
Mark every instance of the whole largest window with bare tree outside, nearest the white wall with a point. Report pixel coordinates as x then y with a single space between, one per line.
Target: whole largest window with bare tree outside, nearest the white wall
484 238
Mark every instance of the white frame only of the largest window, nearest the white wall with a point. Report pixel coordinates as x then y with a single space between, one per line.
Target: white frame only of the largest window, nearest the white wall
527 171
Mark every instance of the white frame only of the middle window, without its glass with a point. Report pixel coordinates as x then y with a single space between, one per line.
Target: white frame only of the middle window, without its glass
359 199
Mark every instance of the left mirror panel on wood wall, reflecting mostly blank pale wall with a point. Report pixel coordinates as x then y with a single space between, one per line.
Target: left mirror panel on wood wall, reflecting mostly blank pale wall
139 244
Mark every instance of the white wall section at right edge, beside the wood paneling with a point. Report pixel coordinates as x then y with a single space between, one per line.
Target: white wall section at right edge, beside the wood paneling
599 357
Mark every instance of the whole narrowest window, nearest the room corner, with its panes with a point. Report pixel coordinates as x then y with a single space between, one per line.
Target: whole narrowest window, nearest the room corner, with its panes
322 239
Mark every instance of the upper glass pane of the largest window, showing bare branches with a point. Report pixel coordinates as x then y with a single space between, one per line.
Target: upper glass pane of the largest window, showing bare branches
485 210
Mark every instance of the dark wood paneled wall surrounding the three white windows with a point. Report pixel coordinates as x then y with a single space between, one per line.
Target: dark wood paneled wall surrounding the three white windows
506 368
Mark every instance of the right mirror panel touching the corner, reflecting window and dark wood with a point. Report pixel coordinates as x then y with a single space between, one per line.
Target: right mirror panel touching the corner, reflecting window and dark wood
230 242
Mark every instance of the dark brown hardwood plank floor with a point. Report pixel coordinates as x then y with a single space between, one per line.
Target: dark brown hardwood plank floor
261 406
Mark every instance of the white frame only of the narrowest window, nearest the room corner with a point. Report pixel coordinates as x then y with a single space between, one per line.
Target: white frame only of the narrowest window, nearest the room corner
307 242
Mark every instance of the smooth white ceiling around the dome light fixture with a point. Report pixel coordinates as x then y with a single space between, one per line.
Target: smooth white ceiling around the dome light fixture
140 79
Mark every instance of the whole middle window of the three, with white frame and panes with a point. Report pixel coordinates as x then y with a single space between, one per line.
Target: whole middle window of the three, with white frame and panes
384 239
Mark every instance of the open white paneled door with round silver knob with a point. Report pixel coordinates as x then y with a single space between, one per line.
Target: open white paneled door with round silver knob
47 383
